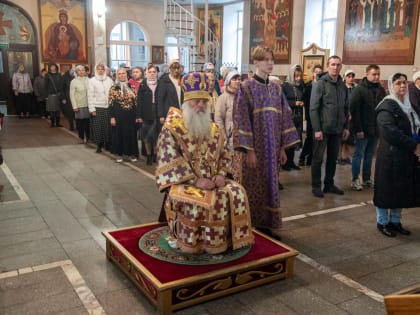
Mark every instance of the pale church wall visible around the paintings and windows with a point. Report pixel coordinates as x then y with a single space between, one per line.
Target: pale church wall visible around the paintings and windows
150 17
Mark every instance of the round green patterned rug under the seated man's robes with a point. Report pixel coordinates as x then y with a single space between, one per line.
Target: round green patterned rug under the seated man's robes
155 244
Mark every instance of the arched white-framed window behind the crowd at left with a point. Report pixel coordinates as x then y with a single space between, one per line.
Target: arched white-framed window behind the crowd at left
128 46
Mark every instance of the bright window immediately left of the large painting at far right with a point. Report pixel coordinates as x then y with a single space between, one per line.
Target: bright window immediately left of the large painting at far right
321 23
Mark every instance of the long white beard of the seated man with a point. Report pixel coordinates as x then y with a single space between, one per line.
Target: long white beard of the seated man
197 123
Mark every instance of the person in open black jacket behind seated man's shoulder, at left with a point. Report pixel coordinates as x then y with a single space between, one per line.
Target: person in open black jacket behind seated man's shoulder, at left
169 92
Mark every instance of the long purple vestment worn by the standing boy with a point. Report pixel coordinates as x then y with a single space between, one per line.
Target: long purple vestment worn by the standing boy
263 123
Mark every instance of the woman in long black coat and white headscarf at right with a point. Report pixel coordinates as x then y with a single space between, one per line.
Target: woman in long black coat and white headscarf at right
398 152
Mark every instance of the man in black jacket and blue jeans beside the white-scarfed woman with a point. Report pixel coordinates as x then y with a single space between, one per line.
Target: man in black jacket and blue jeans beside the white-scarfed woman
364 99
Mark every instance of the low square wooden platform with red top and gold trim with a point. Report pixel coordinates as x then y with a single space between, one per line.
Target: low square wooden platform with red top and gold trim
171 286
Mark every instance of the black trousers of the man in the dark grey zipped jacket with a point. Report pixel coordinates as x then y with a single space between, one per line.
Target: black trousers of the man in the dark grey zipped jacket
330 143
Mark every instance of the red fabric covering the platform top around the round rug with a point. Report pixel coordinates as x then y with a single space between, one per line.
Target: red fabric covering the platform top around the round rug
167 272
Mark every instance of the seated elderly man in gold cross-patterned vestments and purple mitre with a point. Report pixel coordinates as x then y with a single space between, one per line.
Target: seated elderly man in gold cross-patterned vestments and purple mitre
205 211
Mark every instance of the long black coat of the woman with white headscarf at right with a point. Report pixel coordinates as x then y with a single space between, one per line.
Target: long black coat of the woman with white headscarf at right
395 162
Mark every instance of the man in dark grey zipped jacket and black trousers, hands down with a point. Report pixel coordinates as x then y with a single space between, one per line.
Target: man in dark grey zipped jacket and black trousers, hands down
329 116
